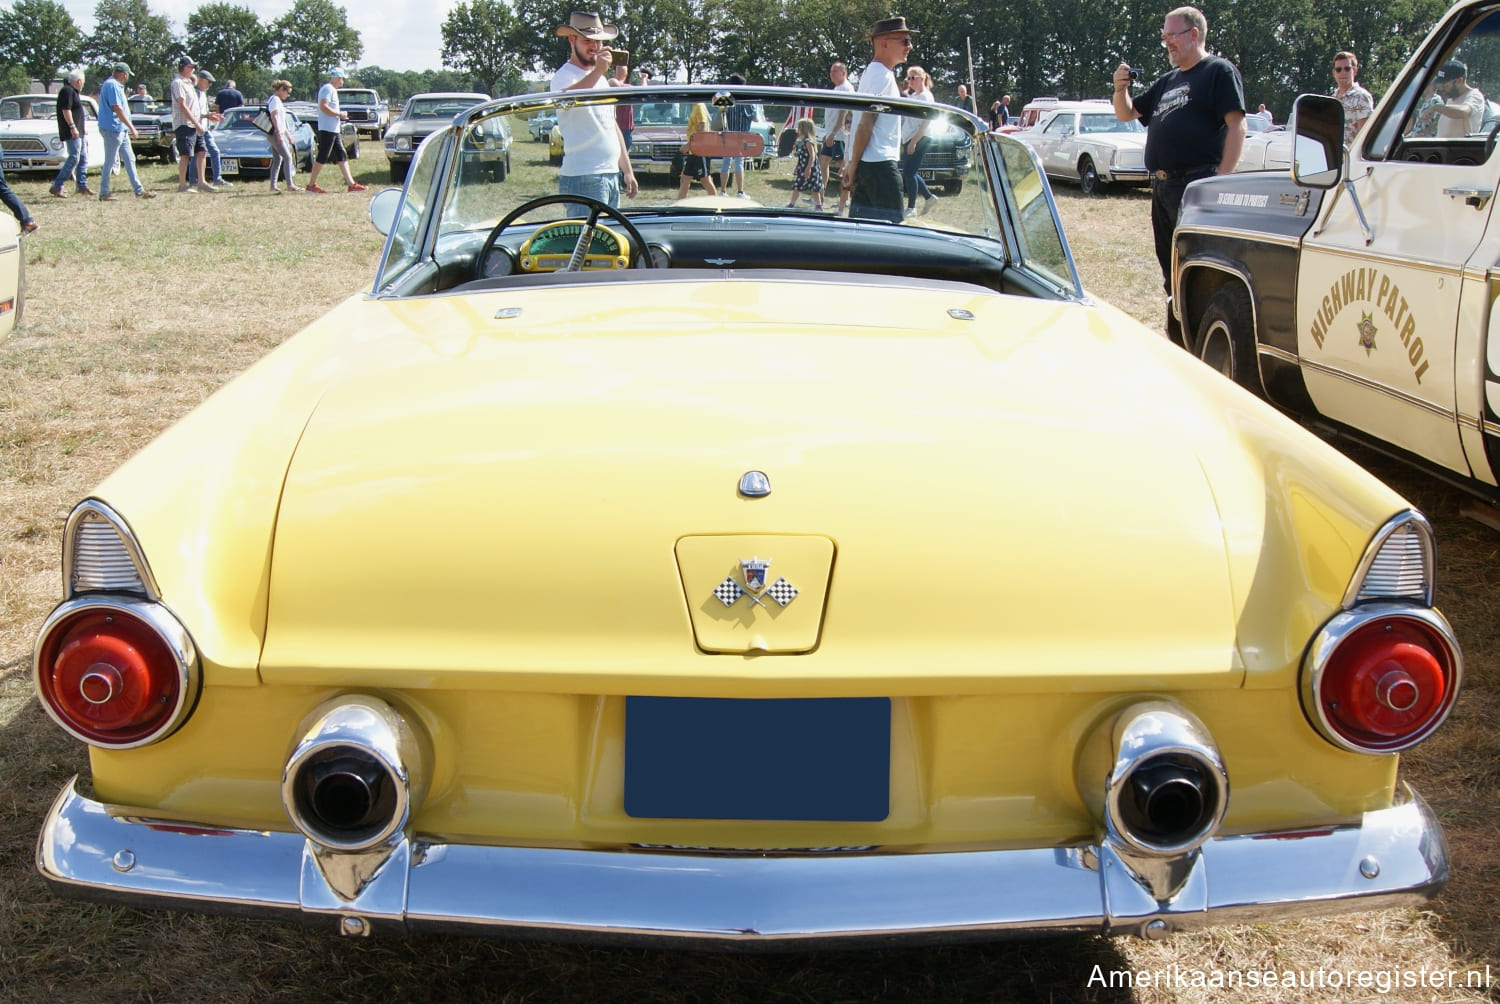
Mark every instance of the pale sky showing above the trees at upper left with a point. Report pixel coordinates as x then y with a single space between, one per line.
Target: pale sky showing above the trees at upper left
397 34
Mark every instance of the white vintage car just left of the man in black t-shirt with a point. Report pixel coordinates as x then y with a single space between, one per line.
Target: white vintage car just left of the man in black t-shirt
1084 142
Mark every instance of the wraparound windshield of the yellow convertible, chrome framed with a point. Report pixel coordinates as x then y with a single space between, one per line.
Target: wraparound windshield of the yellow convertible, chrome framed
778 149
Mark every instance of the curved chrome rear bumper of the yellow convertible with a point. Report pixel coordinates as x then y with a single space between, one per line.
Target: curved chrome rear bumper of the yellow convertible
88 849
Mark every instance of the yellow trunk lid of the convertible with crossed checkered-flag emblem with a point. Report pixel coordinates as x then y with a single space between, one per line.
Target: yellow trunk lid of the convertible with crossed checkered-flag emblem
514 494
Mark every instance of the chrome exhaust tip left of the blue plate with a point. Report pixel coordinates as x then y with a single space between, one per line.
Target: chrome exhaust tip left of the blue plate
356 777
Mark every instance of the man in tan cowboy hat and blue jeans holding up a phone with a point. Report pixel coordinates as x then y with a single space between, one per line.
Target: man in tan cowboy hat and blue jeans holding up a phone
595 154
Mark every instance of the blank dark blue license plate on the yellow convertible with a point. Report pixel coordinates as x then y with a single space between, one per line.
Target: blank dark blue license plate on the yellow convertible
725 759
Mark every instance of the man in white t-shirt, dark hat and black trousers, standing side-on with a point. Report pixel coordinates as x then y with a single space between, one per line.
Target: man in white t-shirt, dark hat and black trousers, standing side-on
872 169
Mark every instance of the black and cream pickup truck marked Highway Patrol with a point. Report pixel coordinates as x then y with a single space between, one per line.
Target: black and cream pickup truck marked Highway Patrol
1361 290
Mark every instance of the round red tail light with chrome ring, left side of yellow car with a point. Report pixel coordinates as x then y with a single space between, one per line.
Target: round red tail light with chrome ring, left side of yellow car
115 676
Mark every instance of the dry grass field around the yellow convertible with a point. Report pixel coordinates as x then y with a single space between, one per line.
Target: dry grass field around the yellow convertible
139 310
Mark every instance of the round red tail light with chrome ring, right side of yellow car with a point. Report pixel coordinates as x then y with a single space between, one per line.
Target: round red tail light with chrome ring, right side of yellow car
1382 682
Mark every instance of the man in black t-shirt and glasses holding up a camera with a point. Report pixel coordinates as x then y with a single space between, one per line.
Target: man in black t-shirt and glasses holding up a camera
1195 119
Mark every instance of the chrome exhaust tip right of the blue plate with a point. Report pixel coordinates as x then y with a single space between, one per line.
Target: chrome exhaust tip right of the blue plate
1156 780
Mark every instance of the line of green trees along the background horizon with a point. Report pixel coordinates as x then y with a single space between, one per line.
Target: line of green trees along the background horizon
1027 49
